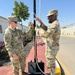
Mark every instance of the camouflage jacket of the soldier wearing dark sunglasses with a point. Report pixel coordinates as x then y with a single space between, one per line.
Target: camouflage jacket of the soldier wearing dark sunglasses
12 39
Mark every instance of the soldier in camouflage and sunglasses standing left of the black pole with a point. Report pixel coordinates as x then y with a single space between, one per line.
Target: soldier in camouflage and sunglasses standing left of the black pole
14 46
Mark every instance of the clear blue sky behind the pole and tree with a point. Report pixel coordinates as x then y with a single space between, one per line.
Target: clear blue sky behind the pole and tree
66 10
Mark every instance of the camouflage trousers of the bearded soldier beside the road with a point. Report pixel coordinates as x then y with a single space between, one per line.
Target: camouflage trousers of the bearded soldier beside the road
50 55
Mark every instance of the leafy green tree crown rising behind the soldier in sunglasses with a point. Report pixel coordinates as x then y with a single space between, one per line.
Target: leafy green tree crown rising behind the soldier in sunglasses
21 11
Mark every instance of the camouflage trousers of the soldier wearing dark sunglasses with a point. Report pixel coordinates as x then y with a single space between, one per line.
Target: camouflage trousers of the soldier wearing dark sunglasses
18 64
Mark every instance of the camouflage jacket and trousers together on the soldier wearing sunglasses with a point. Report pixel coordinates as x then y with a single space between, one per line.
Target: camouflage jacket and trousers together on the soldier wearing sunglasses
14 45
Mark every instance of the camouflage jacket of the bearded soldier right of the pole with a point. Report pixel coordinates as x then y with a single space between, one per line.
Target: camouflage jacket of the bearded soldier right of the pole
52 33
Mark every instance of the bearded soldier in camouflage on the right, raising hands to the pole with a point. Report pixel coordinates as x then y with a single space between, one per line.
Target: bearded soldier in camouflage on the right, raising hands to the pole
52 35
